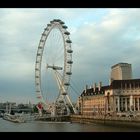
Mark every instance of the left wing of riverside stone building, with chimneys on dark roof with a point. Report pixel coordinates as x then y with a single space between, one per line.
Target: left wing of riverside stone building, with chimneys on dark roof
92 100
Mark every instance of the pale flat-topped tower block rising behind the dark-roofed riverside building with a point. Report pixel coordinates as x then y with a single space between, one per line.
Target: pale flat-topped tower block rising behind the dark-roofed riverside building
121 71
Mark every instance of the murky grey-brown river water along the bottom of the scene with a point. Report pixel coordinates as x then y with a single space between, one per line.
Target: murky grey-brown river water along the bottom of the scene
42 126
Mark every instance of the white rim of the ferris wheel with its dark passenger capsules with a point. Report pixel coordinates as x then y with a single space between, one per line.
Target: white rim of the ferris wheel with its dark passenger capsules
67 72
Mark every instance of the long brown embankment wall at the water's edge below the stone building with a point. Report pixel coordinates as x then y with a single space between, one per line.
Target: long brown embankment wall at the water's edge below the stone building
112 121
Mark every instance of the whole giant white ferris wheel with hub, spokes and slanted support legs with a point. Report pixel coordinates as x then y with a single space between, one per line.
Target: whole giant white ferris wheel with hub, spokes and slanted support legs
54 57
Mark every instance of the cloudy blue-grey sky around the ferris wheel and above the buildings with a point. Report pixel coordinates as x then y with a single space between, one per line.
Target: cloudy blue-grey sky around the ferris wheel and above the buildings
101 37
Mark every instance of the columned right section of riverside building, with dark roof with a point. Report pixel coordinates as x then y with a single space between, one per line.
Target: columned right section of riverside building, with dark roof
123 96
